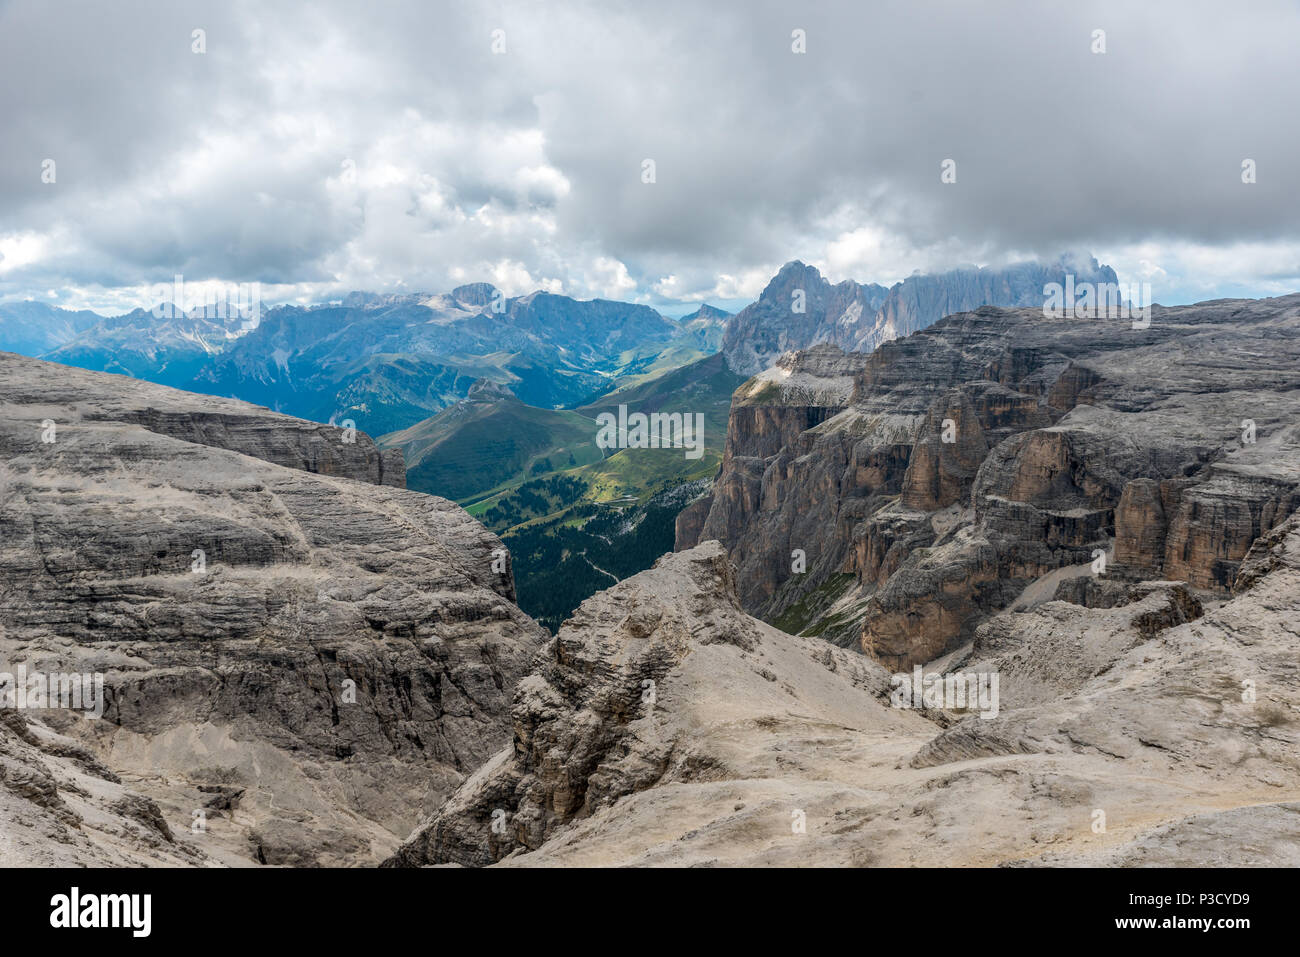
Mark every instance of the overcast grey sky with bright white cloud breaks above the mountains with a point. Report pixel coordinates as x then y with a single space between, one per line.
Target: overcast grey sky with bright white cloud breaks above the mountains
333 146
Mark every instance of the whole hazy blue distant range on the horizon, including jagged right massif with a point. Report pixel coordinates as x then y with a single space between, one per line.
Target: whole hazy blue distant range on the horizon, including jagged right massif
389 361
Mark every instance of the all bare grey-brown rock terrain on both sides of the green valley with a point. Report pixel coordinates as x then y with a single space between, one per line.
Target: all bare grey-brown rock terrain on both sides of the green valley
305 662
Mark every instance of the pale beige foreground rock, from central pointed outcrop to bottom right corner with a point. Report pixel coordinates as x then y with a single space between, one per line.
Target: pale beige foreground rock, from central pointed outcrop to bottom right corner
1158 731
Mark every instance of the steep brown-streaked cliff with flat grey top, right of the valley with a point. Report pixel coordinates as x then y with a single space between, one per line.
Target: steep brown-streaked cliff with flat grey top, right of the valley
1067 439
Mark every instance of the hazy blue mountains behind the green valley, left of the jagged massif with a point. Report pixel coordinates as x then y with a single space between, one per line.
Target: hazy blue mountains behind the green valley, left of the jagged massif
387 362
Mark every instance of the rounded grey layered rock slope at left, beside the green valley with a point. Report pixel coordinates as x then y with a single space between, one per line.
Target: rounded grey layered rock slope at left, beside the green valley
296 651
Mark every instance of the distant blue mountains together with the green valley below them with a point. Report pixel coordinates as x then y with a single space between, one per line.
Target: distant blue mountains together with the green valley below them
493 400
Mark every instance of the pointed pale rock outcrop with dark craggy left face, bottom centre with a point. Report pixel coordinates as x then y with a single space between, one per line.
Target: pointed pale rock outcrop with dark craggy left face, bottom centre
629 698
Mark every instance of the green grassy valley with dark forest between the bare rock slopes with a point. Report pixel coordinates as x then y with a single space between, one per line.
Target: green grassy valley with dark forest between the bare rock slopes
575 518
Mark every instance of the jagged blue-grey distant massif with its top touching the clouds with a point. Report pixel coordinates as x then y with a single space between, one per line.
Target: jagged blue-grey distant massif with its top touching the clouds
799 309
